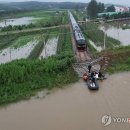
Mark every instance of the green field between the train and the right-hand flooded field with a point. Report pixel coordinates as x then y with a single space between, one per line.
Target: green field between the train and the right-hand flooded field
97 36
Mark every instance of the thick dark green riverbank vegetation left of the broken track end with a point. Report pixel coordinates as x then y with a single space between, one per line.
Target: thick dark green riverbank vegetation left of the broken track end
21 79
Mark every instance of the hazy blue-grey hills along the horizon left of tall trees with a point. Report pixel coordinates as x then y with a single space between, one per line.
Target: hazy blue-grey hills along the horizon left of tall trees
33 5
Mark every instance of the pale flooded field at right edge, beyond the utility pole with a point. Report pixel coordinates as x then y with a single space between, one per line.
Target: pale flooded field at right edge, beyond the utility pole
118 33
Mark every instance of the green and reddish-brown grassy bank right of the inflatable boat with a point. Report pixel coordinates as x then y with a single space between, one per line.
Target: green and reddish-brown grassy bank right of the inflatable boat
120 59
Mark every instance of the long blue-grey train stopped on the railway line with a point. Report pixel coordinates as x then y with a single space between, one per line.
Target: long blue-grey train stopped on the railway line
79 38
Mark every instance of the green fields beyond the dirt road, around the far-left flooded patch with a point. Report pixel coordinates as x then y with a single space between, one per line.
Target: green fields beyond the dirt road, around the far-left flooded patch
43 19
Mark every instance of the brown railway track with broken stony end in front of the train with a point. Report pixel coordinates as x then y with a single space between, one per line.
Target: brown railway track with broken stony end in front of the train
83 57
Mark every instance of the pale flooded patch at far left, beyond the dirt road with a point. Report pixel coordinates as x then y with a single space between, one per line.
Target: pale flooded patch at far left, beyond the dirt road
17 21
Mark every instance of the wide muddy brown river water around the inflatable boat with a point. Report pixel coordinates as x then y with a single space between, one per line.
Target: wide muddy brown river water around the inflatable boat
72 108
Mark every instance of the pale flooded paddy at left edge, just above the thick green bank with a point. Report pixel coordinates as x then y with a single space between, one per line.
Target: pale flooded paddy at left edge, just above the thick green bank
9 54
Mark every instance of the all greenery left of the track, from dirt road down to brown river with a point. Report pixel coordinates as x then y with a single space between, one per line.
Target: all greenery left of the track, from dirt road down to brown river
21 79
